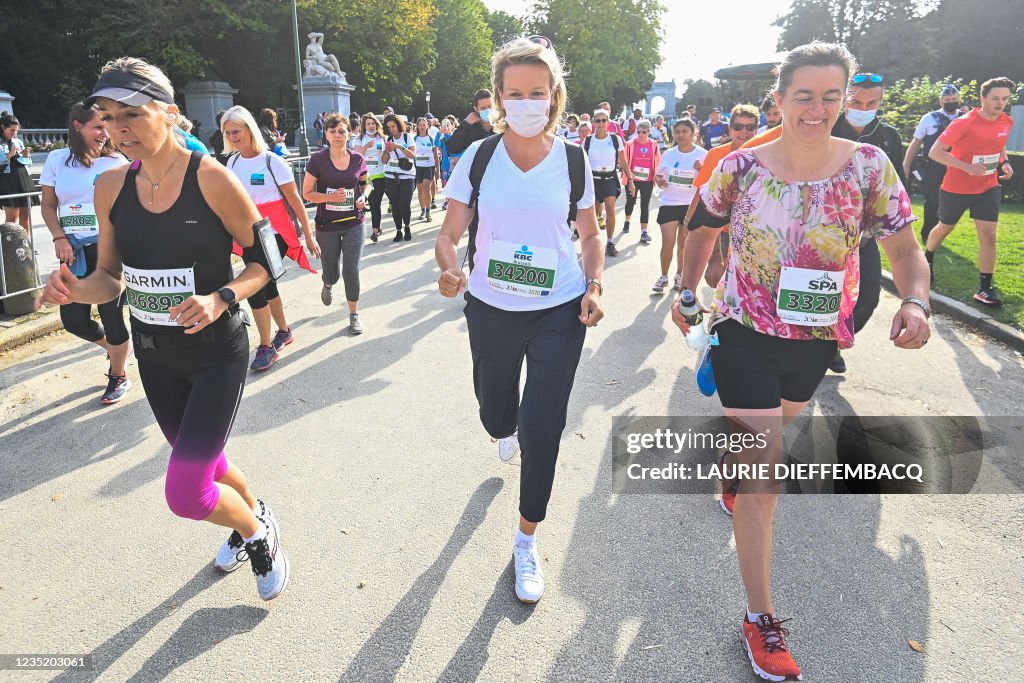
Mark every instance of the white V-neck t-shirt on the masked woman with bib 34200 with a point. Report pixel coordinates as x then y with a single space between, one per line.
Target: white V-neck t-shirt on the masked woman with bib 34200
523 215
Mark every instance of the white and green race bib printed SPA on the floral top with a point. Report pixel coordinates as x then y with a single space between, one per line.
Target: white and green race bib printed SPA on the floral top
809 297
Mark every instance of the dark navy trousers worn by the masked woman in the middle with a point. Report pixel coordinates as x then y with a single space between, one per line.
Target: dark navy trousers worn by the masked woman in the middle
550 341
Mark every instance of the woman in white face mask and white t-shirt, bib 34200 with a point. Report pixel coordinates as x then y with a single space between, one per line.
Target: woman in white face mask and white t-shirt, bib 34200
528 296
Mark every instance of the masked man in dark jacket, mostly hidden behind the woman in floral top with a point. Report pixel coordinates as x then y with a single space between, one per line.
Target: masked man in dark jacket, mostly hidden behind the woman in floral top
861 123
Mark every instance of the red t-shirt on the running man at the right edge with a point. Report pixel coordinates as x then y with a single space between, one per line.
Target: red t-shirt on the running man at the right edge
975 141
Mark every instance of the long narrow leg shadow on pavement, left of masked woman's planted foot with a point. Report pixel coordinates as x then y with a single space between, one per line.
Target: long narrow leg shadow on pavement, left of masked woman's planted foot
387 650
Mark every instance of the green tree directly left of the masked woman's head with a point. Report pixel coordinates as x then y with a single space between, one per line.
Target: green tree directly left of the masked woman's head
464 48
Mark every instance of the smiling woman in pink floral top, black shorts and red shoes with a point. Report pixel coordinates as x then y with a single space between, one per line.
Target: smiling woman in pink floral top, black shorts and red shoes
797 209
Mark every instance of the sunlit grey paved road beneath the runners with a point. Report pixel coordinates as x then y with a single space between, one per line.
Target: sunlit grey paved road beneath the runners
399 518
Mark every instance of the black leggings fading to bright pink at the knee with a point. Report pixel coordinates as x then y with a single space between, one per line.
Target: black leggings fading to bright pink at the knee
195 395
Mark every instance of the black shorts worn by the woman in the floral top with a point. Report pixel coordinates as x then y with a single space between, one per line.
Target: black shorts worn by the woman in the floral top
757 371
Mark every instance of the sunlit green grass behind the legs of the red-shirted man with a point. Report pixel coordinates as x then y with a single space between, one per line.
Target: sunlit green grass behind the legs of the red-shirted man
957 264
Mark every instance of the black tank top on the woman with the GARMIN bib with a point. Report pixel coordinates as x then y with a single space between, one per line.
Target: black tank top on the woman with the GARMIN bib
169 257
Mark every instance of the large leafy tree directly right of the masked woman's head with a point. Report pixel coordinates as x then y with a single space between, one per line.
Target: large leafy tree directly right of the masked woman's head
612 48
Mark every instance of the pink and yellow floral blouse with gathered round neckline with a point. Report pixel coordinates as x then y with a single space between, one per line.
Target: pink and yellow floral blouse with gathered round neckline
807 225
